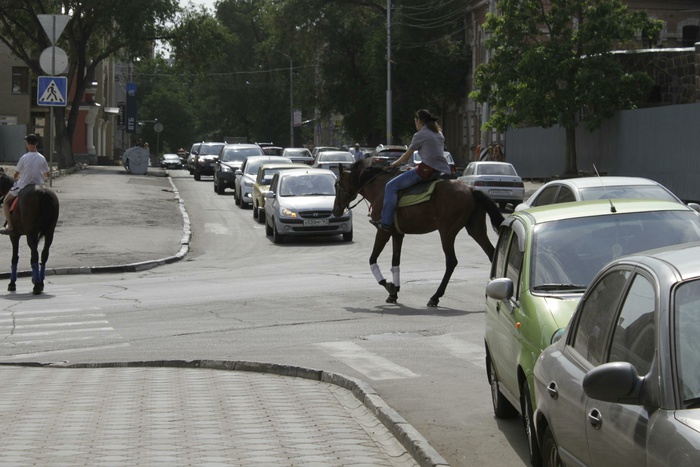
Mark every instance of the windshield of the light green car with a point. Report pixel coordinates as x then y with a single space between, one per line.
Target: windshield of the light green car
566 254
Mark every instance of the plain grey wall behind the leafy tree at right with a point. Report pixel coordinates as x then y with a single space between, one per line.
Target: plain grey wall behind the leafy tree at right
661 143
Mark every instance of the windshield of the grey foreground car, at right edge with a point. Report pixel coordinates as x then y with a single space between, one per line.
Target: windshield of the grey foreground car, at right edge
687 327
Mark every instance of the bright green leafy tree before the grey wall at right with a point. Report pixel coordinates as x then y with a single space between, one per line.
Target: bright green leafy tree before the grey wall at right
552 64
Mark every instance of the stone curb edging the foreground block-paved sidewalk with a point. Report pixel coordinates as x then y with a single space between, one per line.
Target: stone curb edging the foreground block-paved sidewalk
419 448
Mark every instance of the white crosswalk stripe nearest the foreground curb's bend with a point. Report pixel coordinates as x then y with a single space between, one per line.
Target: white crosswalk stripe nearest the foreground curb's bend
371 365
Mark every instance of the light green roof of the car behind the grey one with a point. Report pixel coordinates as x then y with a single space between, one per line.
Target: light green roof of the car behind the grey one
562 211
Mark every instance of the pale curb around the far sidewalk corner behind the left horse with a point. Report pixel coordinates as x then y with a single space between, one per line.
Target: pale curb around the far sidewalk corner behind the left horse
132 267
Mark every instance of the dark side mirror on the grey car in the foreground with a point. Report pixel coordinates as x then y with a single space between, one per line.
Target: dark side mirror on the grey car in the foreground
616 382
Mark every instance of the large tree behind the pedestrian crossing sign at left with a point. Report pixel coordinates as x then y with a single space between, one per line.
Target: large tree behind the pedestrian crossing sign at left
97 30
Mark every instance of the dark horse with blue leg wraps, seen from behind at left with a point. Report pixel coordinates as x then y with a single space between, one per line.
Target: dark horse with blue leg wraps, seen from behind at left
35 215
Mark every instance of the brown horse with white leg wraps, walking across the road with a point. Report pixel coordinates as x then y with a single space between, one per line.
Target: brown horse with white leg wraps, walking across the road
452 206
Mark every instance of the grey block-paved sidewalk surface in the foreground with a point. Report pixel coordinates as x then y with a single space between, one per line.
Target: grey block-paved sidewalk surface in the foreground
185 416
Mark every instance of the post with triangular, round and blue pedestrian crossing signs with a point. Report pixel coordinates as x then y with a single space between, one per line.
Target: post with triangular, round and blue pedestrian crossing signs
52 92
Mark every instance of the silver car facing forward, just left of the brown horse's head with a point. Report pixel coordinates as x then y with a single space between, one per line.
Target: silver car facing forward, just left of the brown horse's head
300 203
